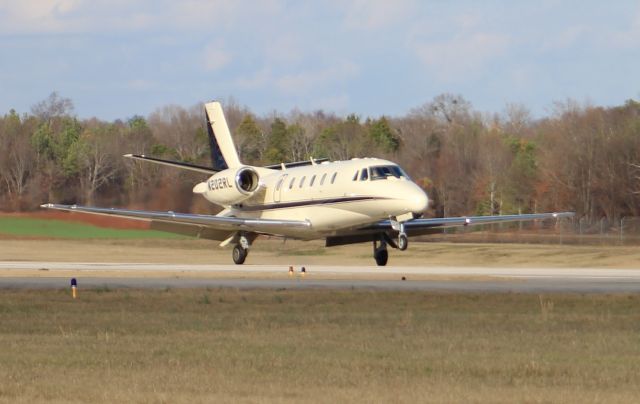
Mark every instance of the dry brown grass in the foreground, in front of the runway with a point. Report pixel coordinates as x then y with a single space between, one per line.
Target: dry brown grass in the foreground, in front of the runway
316 346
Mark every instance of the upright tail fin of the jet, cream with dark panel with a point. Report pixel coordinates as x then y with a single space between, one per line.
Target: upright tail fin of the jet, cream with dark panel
223 151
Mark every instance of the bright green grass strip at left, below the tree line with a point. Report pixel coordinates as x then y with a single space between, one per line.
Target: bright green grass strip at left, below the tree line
45 228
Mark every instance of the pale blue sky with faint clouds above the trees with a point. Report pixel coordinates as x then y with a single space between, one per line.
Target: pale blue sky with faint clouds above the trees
117 58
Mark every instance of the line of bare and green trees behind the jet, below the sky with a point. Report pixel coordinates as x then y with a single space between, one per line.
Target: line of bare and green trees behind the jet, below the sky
581 157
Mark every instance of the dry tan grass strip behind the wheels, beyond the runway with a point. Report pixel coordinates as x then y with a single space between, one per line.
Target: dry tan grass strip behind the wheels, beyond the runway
314 253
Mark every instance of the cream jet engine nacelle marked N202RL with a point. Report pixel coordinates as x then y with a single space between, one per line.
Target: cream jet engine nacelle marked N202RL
230 186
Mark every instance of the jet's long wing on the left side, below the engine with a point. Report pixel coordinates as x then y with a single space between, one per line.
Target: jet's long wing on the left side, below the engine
205 226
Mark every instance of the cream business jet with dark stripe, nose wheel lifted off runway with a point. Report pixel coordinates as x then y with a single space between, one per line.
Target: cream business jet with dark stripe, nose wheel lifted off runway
343 202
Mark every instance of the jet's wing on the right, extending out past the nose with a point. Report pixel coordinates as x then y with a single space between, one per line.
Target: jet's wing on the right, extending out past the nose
425 226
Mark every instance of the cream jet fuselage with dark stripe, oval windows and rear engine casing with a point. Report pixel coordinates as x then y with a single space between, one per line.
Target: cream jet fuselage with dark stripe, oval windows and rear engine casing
331 196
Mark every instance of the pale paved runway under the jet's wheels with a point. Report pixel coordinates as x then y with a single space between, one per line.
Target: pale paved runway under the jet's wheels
468 279
